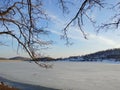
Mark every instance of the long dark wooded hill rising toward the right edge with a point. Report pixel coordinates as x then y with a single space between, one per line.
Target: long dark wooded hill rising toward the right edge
111 54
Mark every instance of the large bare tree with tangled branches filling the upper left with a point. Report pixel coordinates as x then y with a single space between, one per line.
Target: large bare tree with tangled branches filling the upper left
19 19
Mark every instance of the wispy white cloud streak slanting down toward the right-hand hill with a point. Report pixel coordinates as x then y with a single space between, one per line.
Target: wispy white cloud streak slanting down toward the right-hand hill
75 33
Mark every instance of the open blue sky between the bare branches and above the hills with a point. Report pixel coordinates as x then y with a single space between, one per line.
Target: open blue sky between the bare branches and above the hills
96 42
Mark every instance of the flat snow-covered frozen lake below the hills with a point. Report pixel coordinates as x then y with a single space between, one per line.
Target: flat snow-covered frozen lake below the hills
65 75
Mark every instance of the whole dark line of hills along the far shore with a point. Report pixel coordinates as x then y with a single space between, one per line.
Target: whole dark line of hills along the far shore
110 55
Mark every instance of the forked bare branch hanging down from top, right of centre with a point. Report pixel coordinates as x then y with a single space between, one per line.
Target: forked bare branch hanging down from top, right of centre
84 7
